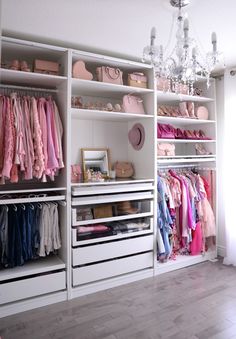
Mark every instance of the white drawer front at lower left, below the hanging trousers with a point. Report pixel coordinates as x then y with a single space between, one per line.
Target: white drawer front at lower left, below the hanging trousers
31 287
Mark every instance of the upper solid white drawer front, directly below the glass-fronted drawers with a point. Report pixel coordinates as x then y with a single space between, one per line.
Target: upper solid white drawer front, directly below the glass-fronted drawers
89 254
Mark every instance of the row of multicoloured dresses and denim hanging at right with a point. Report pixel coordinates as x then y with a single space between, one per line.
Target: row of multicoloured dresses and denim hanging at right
185 218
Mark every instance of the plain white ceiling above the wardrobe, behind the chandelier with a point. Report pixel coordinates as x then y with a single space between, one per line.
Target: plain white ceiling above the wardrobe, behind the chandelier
117 27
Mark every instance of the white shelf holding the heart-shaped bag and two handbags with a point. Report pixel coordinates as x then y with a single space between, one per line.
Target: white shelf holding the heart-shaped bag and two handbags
97 88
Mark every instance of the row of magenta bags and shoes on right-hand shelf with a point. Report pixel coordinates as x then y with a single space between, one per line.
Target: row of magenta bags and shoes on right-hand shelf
165 131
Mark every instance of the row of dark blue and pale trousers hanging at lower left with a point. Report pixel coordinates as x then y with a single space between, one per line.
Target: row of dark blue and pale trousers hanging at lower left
28 231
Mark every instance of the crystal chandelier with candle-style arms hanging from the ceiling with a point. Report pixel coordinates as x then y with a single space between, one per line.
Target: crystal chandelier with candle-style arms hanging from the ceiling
185 63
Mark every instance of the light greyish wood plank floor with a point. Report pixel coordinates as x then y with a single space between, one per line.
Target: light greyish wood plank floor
196 302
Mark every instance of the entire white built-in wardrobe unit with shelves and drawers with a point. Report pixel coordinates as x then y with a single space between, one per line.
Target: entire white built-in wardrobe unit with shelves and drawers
84 266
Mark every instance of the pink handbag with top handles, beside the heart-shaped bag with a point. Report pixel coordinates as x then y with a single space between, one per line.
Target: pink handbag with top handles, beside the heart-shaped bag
110 75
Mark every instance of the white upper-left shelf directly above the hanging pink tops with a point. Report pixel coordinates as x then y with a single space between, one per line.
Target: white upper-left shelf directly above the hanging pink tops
8 76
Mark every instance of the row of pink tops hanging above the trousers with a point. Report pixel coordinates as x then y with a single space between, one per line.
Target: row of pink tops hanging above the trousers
30 138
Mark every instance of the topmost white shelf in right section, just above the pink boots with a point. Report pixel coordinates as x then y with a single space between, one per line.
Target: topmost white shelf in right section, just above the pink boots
173 97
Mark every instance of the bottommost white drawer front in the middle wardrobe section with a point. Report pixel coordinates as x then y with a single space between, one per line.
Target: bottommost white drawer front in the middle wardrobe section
92 273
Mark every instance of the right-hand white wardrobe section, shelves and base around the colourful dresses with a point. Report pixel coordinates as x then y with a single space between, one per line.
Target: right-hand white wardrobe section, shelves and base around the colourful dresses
185 155
